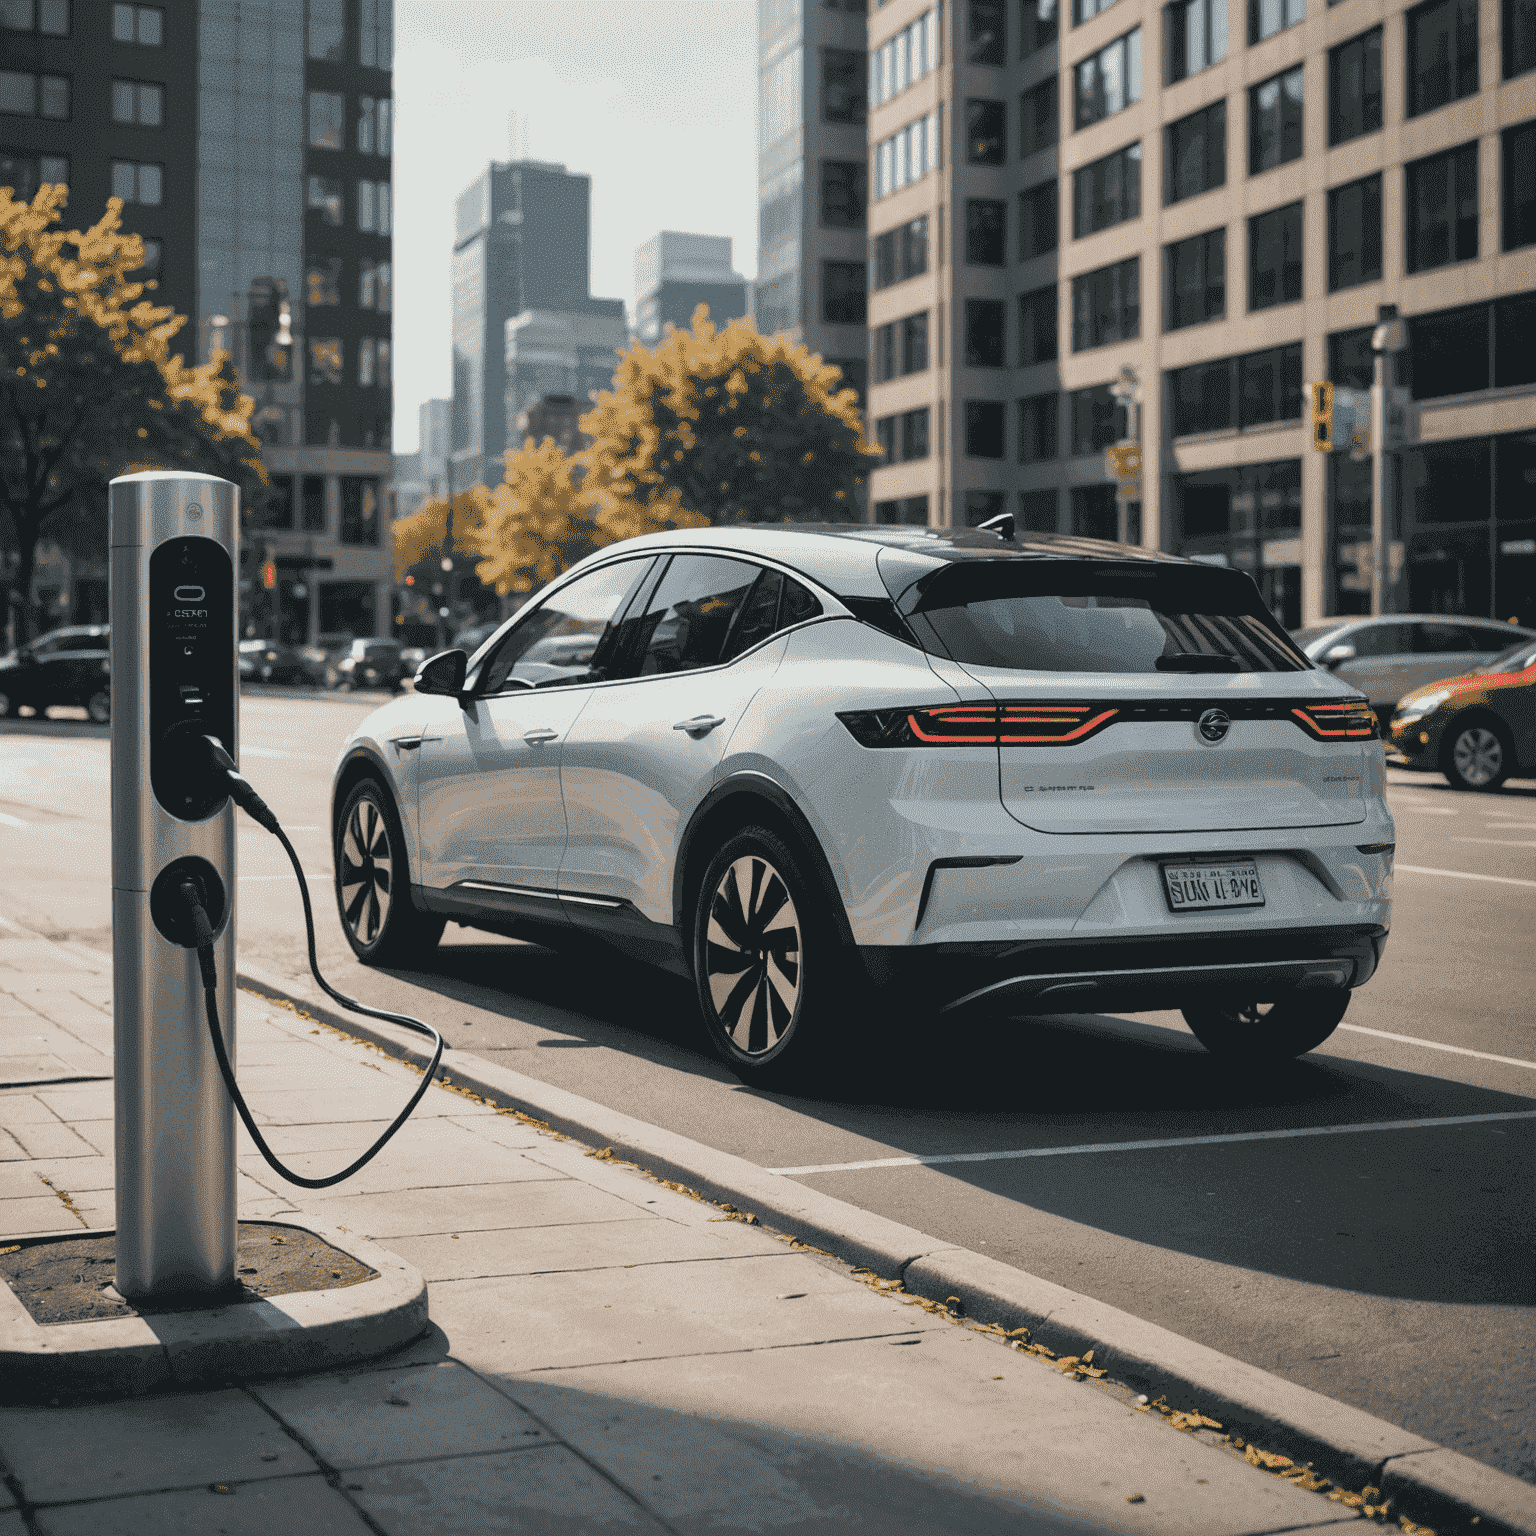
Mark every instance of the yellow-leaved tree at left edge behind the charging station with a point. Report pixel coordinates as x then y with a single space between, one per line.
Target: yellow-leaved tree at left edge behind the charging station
88 382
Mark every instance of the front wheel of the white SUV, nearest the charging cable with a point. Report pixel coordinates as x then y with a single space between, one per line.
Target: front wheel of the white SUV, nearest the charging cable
382 922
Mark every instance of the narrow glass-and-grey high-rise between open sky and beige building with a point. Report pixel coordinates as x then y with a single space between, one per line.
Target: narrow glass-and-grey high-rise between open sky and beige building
813 179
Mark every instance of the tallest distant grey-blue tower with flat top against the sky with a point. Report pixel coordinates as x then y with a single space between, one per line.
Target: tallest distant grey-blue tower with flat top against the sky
521 243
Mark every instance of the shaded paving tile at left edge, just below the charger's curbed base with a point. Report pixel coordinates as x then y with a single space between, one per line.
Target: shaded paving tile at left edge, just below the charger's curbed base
144 1446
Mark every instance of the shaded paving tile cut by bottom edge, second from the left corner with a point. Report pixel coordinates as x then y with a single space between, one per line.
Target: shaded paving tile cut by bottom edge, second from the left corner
538 1492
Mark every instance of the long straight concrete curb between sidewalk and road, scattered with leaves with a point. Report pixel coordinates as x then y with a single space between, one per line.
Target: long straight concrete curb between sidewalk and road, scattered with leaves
1434 1486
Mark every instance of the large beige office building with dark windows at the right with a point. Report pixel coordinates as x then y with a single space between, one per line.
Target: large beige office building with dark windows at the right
1194 211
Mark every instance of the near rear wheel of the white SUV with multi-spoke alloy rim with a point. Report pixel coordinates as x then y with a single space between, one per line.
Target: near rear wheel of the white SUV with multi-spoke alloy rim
775 981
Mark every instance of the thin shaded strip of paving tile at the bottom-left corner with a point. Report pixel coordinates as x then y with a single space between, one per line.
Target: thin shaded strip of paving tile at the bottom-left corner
297 1506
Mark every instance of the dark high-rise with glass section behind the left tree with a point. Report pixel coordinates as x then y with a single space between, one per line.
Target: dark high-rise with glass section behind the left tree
251 145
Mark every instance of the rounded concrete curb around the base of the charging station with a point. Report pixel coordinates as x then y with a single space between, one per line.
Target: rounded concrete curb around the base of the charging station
277 1337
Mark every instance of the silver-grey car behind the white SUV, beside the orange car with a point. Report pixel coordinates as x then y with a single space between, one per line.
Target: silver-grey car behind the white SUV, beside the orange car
1389 658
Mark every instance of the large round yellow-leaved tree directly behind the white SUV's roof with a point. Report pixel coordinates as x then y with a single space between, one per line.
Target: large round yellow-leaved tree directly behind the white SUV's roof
724 426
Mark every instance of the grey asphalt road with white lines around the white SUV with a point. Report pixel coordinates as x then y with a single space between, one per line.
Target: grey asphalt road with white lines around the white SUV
1363 1254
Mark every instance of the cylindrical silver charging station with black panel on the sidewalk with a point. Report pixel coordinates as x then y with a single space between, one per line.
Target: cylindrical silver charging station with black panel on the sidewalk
176 555
